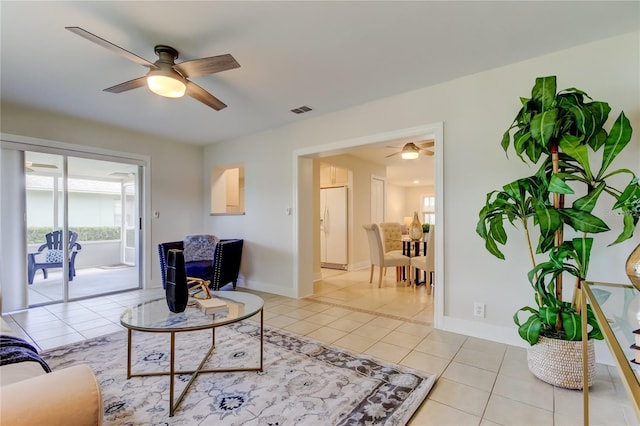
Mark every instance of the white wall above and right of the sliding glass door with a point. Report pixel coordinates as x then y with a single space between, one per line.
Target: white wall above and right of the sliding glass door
175 178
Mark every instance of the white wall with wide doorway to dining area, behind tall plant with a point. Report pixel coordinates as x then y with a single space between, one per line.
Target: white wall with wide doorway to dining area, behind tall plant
476 110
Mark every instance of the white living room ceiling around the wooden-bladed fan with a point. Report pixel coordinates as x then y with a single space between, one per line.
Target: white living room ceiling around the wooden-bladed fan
328 55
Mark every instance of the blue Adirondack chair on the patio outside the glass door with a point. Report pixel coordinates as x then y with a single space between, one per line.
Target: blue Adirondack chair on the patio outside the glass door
49 255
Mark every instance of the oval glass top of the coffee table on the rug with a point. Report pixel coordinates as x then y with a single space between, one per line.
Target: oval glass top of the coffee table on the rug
155 315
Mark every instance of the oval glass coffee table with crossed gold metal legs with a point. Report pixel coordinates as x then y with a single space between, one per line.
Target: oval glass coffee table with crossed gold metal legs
155 317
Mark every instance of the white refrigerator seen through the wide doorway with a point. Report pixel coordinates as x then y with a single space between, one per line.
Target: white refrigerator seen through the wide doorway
333 227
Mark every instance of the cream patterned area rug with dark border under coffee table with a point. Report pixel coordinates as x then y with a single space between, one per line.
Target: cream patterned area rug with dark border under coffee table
303 382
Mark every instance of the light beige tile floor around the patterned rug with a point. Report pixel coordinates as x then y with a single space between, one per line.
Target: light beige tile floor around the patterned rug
479 382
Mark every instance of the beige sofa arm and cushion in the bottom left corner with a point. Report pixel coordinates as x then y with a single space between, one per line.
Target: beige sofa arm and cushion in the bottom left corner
29 396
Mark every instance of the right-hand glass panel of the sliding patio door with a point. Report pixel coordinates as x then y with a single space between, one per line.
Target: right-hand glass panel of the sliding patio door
103 208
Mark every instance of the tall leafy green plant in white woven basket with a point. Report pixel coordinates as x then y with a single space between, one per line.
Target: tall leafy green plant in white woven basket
562 132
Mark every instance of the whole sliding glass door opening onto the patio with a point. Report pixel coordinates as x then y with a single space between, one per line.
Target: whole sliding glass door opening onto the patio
96 206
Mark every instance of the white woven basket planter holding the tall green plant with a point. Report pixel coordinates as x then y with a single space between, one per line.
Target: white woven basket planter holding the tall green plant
559 362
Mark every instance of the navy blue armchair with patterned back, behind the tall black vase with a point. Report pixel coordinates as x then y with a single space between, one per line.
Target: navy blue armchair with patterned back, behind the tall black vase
221 269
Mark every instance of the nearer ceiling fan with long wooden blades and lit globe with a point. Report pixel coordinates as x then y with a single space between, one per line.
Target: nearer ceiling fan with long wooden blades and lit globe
165 77
